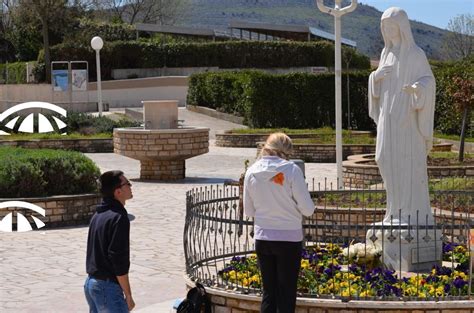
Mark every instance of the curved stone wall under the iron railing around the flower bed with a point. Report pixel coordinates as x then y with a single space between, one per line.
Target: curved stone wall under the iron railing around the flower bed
224 301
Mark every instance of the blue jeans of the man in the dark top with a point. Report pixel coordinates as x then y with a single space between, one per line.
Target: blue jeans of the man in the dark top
104 296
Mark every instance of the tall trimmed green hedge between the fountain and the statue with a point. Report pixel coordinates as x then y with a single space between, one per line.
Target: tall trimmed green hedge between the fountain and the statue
297 100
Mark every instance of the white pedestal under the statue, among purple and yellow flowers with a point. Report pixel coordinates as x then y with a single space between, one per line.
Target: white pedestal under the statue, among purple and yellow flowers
409 251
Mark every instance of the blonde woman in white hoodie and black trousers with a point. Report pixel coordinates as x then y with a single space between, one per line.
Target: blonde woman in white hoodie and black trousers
276 196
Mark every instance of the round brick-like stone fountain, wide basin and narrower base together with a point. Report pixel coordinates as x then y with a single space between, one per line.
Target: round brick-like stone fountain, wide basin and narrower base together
161 152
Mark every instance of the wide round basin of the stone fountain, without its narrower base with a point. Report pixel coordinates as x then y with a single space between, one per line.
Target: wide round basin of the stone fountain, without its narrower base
161 144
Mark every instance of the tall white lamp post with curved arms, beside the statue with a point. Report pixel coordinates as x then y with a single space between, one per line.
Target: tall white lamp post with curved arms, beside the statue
337 12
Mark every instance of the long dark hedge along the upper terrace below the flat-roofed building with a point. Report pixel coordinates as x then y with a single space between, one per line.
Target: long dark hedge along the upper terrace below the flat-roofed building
228 54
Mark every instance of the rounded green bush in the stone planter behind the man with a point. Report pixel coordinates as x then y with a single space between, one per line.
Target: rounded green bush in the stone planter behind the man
43 172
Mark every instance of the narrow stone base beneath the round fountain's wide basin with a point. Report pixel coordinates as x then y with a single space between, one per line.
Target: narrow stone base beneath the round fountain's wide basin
162 170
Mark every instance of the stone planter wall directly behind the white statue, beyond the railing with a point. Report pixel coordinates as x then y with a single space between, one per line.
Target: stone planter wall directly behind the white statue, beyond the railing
360 170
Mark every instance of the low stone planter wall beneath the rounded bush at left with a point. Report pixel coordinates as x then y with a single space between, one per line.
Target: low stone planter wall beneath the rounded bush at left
60 210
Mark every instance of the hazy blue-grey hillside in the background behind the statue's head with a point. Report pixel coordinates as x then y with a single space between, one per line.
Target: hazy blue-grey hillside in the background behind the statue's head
362 25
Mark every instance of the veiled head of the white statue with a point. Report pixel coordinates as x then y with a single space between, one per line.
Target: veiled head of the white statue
395 24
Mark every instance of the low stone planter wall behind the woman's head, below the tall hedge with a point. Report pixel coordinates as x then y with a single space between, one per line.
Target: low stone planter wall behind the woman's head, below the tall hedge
229 139
